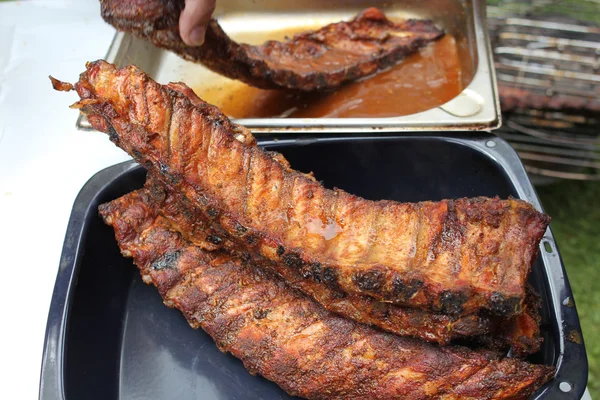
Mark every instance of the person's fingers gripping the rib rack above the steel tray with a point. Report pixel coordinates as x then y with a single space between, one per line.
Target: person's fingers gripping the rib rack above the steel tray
194 20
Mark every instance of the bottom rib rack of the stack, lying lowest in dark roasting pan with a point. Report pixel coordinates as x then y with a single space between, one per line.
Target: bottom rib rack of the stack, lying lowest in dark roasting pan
285 337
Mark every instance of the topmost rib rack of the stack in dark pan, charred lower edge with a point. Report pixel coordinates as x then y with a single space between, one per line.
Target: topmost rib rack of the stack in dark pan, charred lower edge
451 256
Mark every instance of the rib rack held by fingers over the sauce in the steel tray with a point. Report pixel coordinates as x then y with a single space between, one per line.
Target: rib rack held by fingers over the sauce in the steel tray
322 59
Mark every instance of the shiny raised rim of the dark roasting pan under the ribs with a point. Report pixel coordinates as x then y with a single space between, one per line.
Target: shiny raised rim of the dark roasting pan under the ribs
571 362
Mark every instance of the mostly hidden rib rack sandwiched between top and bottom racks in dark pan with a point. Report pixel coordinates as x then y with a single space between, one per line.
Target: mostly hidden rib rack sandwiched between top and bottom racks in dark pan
519 333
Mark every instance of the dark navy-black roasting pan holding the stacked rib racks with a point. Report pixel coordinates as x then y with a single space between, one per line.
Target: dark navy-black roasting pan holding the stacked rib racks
110 337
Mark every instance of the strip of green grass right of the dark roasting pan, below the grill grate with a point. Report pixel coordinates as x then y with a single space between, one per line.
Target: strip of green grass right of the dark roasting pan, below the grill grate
574 208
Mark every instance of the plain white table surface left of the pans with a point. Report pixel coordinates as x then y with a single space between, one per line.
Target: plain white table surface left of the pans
44 162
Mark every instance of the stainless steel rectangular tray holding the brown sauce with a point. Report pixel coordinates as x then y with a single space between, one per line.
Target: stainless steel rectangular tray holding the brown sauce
475 108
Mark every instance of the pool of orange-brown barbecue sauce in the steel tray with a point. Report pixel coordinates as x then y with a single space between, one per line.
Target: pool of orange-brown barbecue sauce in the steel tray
424 80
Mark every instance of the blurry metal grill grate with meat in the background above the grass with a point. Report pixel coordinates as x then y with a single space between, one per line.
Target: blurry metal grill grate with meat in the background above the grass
548 71
